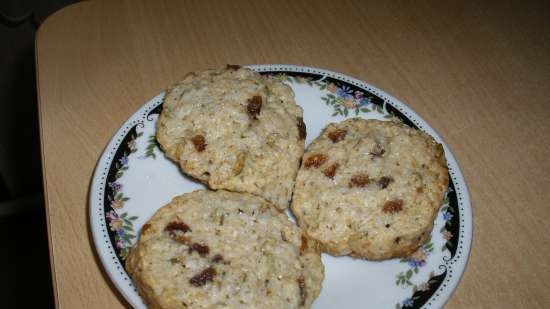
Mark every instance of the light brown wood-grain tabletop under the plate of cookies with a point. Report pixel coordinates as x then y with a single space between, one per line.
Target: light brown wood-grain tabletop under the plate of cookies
479 73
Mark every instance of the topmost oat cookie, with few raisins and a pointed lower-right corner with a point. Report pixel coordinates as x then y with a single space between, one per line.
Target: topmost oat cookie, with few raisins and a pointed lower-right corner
236 130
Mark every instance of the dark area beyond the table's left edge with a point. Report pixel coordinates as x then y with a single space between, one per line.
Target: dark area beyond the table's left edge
25 272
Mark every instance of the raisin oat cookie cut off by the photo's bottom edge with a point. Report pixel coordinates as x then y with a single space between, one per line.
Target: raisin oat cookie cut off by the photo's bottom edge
220 249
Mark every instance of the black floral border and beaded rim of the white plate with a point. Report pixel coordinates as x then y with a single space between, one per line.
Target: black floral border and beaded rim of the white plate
105 195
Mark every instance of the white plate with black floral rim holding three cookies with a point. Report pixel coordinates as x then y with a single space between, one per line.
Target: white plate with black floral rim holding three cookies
133 179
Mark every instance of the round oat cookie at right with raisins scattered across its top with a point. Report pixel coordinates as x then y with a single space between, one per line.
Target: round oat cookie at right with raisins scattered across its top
370 189
